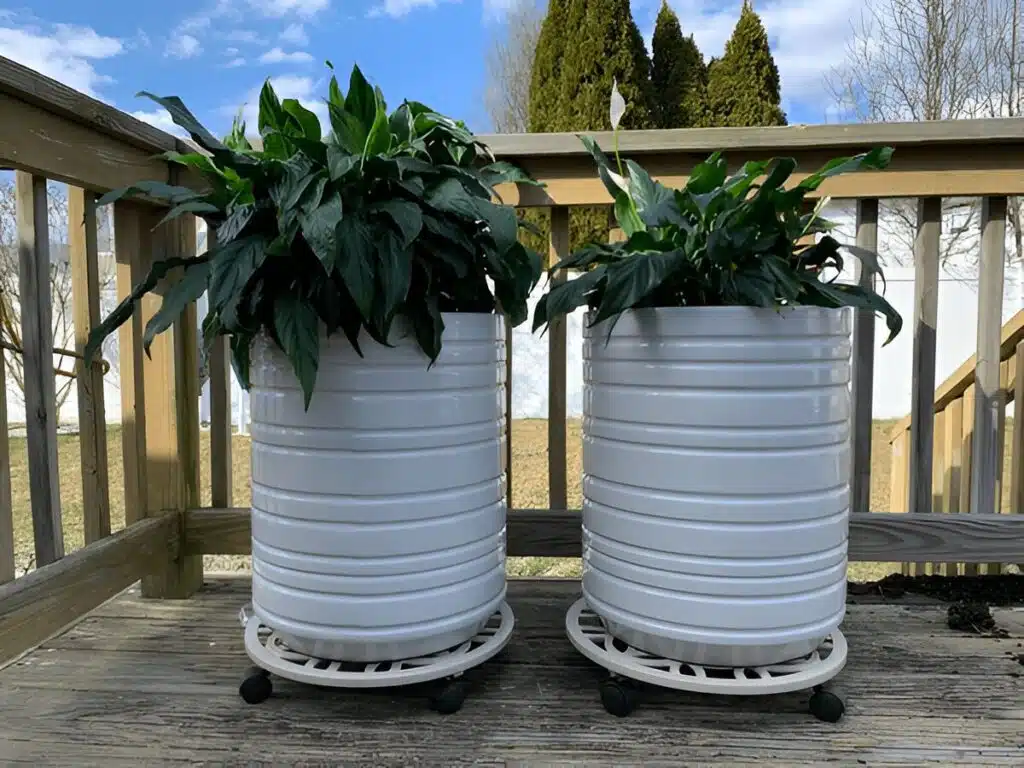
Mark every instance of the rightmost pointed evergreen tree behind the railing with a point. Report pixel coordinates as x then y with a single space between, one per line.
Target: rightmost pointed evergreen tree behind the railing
744 86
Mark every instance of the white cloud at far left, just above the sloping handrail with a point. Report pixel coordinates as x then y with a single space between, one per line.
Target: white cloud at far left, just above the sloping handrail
65 54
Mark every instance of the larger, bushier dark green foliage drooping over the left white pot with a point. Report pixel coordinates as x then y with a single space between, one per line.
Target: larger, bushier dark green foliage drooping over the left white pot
391 218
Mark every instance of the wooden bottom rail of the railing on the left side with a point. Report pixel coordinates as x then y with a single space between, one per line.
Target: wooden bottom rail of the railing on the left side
48 600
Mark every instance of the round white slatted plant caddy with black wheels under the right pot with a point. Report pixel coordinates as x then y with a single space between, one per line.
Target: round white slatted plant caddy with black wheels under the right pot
630 667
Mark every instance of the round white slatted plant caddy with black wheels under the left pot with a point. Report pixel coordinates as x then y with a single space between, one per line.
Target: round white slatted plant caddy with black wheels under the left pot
271 655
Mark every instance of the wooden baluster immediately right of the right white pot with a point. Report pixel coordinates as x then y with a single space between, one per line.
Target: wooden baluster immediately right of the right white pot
864 365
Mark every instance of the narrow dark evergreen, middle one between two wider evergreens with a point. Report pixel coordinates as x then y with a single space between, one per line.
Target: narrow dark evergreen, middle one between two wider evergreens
679 78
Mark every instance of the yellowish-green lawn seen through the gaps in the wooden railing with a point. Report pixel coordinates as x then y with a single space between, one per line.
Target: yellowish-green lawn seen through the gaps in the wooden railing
530 471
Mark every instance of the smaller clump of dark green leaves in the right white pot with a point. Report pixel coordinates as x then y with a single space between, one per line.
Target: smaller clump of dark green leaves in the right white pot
720 241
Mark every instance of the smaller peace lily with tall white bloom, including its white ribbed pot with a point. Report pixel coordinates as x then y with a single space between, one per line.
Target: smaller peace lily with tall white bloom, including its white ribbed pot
717 450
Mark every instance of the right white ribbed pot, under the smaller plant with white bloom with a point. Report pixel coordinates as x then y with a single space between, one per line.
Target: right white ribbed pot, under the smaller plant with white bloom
716 487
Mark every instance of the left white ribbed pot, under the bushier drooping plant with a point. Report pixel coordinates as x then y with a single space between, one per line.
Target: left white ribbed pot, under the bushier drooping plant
378 517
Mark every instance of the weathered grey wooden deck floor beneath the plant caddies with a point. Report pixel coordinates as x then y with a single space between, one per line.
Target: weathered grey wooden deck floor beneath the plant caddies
149 682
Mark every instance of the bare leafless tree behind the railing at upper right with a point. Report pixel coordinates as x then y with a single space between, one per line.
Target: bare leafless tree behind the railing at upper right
935 60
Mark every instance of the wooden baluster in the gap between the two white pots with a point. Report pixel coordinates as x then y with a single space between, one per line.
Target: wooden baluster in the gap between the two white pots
558 471
